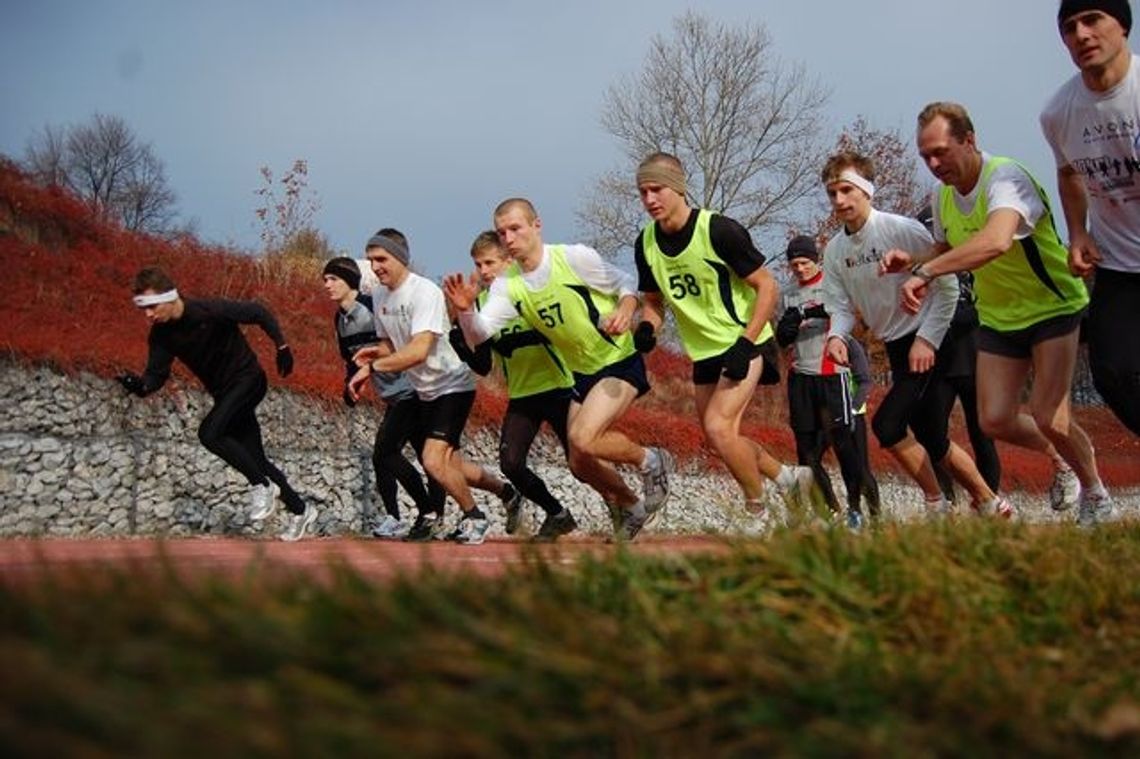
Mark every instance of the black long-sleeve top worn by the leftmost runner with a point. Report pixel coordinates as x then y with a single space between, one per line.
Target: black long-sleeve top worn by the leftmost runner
209 341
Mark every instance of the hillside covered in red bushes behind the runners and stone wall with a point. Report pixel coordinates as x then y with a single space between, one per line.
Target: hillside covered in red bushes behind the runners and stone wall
66 301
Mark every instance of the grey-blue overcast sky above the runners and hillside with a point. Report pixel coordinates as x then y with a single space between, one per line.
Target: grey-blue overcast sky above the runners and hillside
424 116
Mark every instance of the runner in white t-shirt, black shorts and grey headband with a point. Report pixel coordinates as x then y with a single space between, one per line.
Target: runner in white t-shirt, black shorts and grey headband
411 321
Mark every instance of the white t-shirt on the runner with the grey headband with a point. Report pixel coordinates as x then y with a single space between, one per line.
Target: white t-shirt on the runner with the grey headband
416 307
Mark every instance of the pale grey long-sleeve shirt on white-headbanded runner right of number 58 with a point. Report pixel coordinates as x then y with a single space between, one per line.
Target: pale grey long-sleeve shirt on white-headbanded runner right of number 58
852 282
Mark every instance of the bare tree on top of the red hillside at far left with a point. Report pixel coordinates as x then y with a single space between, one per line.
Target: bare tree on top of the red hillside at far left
110 168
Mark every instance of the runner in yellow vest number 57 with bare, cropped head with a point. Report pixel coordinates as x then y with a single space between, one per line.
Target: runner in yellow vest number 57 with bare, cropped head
584 306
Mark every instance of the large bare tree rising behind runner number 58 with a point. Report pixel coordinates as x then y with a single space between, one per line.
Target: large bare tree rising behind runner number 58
746 125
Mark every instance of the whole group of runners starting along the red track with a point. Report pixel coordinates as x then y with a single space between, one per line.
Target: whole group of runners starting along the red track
569 331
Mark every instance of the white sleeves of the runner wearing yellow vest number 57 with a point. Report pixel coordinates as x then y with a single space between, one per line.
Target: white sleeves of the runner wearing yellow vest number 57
588 264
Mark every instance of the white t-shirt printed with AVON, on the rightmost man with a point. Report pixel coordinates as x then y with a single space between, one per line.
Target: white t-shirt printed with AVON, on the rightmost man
1098 134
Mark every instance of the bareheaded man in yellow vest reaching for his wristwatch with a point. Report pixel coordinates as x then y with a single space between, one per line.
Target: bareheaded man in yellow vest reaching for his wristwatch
992 218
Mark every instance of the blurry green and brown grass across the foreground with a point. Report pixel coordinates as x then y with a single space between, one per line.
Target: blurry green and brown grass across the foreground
978 640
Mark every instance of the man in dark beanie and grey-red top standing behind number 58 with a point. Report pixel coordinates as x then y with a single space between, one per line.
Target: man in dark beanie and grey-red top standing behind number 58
821 407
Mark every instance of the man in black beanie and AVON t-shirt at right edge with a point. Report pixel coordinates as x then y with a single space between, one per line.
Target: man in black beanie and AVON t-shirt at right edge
1093 125
